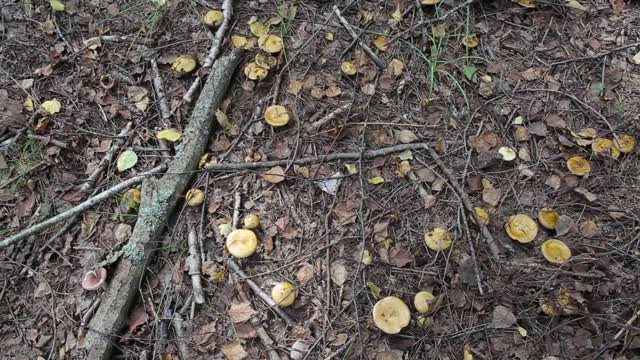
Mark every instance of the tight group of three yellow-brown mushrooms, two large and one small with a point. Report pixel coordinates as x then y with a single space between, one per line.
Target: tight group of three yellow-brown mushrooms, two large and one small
523 229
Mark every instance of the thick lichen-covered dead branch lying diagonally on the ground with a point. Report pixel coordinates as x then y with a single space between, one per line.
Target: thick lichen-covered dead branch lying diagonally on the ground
158 203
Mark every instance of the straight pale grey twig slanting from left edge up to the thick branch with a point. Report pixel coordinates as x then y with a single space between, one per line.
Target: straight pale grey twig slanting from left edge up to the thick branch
87 204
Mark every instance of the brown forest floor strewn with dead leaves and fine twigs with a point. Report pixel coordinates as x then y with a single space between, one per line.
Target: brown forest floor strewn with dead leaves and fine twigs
542 86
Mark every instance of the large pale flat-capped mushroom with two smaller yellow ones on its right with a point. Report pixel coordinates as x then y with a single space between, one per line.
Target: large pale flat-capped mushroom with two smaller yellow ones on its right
391 314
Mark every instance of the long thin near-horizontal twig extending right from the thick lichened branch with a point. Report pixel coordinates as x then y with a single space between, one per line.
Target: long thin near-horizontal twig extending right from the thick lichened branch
310 160
